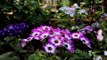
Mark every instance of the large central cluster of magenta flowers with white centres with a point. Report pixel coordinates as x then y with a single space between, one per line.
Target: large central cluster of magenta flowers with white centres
56 38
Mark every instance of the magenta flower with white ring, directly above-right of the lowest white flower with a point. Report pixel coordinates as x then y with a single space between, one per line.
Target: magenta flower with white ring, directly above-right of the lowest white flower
56 40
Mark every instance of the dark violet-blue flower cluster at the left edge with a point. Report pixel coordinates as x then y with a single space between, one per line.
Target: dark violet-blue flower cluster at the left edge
13 29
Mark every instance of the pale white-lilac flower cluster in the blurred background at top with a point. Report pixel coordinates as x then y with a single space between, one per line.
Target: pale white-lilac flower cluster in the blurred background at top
73 10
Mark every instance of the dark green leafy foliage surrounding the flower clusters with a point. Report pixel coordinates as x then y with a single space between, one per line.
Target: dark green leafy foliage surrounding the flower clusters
35 14
